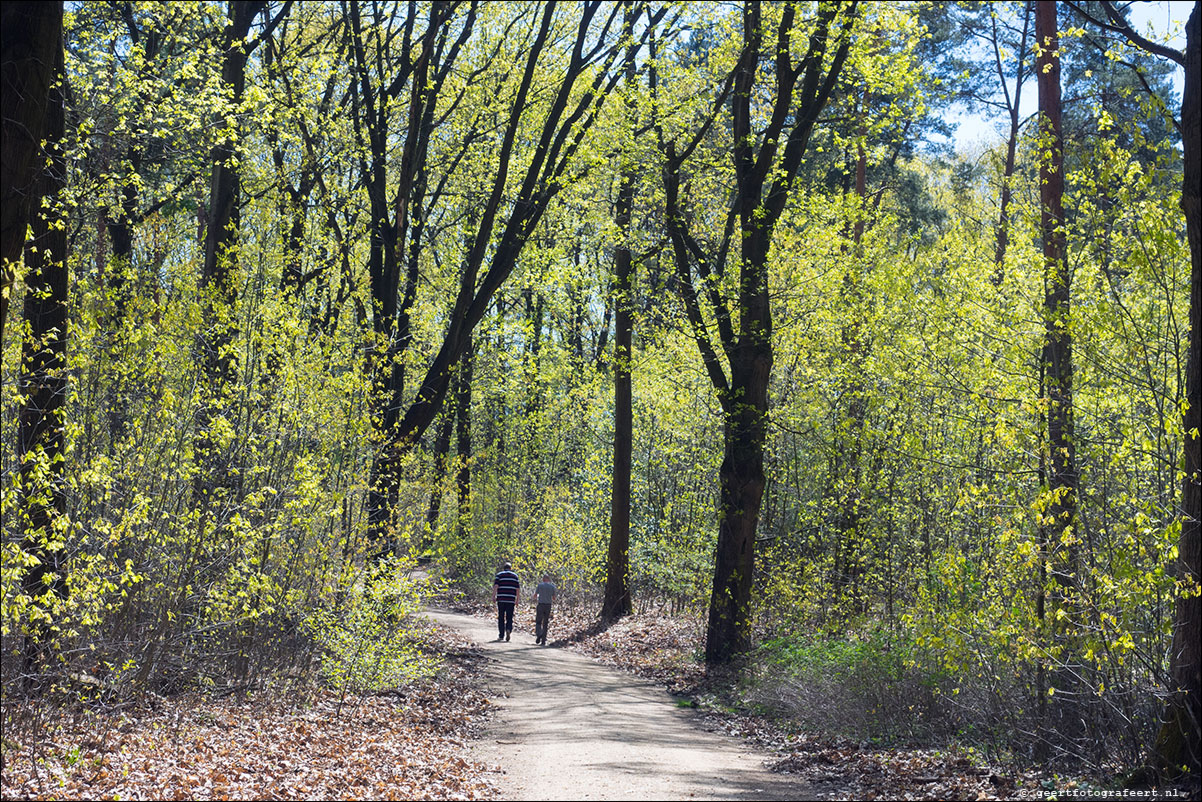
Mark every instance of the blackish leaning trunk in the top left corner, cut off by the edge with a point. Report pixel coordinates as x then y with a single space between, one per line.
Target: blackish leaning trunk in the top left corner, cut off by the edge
32 35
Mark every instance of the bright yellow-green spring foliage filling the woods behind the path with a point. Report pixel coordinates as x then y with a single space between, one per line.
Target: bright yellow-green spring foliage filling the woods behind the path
906 384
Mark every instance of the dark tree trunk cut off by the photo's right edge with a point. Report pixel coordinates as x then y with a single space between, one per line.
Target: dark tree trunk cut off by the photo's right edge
1180 742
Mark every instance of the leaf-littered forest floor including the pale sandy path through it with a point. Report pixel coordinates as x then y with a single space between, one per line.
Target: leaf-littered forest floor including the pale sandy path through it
626 712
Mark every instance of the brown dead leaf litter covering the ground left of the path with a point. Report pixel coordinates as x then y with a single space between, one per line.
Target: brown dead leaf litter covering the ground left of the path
282 745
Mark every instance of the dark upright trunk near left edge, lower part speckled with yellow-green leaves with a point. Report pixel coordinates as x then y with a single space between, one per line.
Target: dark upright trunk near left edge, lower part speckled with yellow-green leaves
44 384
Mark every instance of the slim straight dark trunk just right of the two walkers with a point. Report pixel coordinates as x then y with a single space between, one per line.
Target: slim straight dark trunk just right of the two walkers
617 602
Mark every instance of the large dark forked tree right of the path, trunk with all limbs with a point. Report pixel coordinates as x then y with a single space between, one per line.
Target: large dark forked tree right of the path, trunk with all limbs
764 179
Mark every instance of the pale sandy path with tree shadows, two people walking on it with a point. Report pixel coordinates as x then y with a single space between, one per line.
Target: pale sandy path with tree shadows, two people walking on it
567 728
